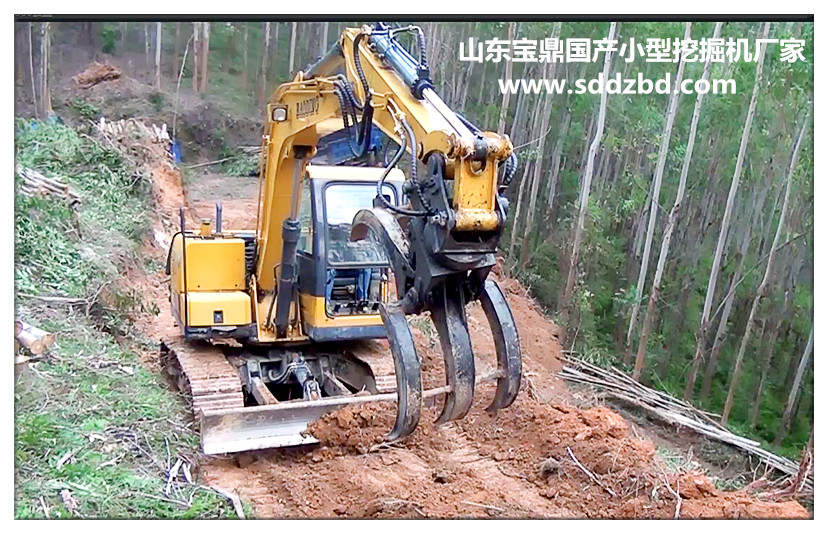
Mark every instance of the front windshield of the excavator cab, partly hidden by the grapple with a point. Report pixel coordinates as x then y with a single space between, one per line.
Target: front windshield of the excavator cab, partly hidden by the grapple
342 202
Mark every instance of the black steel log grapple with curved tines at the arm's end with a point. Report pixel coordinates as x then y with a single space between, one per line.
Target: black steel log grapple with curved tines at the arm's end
441 283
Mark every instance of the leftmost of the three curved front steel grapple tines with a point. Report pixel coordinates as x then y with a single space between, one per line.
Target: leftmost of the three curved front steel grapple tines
407 370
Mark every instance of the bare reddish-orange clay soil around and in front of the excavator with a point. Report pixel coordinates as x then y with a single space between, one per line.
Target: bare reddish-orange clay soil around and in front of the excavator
542 457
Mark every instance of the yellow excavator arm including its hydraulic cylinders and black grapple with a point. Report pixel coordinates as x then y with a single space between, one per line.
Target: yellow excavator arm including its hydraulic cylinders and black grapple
441 243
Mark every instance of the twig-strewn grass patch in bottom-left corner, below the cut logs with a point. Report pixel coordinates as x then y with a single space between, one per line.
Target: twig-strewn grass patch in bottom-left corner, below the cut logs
116 428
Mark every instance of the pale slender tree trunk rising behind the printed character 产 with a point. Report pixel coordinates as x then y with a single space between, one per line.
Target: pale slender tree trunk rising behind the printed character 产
585 185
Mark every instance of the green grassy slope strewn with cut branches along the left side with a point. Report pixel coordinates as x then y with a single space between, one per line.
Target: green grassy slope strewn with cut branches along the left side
90 417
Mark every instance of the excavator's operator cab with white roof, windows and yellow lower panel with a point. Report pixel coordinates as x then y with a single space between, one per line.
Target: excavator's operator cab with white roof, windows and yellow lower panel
341 283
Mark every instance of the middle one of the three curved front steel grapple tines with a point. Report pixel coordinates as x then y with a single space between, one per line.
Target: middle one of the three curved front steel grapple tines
449 315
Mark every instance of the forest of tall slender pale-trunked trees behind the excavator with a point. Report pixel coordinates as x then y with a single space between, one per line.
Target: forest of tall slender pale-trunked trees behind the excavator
668 234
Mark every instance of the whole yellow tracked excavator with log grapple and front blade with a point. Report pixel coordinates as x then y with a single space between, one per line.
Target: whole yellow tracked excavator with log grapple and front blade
350 239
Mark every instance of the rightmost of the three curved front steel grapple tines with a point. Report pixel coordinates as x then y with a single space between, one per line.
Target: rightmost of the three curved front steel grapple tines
507 344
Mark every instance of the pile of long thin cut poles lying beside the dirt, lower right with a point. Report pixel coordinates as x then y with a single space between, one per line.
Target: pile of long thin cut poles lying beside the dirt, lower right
616 384
